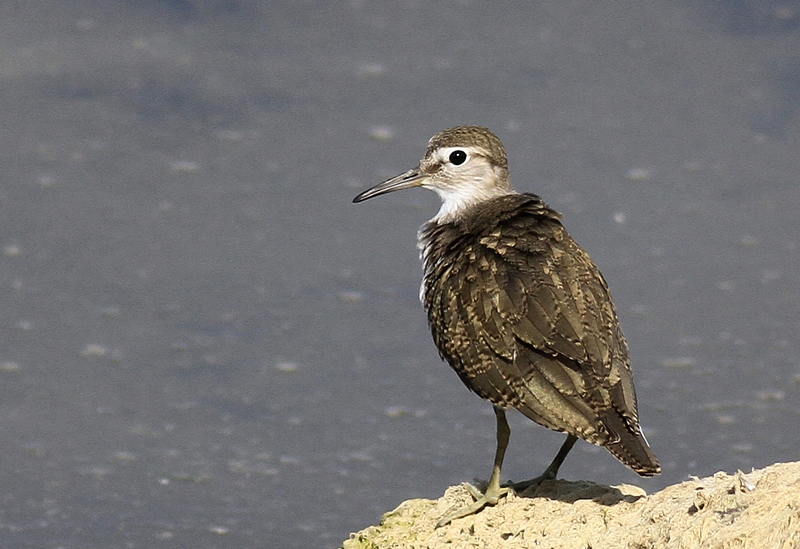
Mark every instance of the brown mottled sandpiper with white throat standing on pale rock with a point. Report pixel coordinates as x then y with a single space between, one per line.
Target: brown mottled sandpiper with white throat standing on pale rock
519 310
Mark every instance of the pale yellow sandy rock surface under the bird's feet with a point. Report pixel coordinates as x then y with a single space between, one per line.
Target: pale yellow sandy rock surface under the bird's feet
760 509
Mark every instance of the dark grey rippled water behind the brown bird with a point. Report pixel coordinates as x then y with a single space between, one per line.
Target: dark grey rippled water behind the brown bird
205 344
